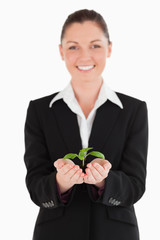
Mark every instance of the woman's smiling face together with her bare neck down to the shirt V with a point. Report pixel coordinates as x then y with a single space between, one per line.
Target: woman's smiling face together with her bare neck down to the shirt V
85 48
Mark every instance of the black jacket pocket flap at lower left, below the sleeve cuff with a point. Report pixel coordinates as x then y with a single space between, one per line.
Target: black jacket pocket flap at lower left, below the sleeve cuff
46 215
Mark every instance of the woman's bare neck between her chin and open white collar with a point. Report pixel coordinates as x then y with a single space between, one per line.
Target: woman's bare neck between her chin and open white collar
87 92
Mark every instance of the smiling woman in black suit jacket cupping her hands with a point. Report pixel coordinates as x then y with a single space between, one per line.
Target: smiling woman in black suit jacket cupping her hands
97 203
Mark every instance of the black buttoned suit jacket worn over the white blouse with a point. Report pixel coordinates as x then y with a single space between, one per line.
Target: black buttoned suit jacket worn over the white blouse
121 135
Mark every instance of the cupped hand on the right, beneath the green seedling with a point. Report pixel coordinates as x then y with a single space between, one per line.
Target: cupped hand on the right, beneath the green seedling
97 171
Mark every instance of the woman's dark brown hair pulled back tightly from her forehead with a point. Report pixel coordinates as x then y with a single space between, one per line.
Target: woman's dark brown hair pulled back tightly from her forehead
85 15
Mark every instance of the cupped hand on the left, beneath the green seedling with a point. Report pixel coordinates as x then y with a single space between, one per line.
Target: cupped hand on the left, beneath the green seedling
68 174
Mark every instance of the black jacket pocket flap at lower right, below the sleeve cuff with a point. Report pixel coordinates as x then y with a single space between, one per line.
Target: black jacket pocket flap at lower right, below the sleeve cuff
122 214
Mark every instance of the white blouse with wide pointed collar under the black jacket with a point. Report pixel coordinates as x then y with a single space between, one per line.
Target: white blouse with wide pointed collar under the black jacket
85 124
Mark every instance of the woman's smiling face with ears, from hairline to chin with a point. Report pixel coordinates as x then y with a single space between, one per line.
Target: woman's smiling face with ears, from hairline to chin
85 49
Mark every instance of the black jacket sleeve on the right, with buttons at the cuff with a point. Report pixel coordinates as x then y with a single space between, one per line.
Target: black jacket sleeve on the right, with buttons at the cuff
125 186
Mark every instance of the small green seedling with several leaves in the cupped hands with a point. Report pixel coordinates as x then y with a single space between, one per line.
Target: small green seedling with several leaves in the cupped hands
83 154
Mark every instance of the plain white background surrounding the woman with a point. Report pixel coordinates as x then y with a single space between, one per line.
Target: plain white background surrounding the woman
30 67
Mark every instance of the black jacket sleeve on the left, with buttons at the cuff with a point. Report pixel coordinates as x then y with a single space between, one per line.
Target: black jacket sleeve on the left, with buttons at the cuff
41 173
